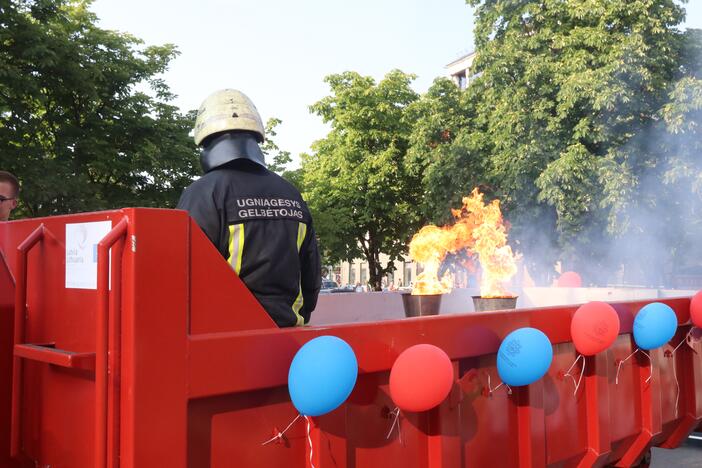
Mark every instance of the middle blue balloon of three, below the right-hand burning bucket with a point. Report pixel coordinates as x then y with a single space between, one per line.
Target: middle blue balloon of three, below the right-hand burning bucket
524 356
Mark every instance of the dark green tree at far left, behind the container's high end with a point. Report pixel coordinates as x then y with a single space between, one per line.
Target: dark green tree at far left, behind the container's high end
85 120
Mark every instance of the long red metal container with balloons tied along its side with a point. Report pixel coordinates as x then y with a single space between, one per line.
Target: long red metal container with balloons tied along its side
171 362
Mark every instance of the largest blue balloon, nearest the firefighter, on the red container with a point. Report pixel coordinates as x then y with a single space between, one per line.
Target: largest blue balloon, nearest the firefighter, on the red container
322 375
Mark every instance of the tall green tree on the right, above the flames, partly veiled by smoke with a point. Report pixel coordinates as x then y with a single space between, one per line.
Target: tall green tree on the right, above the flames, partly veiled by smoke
556 117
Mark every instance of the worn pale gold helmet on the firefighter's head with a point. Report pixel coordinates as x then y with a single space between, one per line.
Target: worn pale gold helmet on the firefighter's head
227 109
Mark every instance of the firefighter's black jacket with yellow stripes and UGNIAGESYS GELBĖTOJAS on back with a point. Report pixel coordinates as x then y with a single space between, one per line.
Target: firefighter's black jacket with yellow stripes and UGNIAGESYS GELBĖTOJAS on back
260 224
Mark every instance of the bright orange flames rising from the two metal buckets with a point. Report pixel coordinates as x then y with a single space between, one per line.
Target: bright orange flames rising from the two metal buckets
478 229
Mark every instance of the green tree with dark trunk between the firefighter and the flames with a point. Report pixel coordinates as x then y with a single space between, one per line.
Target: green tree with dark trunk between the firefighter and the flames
357 183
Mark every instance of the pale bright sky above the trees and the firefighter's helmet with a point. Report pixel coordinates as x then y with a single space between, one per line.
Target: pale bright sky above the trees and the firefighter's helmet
278 52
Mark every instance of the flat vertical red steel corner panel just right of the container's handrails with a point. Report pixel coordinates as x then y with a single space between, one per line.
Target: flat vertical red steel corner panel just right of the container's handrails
154 331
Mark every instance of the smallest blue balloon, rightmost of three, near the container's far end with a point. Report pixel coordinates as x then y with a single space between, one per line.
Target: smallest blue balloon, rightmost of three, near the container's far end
654 325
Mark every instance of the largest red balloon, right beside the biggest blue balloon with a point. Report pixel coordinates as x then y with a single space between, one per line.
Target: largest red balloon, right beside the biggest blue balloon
420 378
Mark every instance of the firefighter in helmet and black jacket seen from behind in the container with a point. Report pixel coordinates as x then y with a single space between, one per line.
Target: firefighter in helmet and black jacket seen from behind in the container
256 219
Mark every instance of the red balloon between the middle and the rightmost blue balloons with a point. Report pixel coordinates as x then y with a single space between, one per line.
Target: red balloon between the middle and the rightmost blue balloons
594 327
